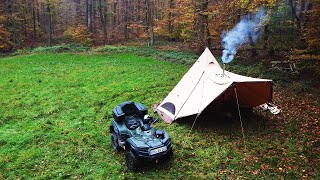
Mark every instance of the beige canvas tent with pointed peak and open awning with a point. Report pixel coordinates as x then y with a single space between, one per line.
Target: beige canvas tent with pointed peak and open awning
205 83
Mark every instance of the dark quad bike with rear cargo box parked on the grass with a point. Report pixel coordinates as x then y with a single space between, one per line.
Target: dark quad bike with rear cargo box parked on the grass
132 131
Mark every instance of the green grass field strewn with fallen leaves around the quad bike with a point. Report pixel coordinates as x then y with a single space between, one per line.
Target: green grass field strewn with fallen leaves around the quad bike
55 112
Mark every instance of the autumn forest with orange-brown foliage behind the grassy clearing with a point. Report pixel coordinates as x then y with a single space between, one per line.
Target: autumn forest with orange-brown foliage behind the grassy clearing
292 25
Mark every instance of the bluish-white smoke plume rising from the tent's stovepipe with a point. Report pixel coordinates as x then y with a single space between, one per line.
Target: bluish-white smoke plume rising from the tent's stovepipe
240 34
